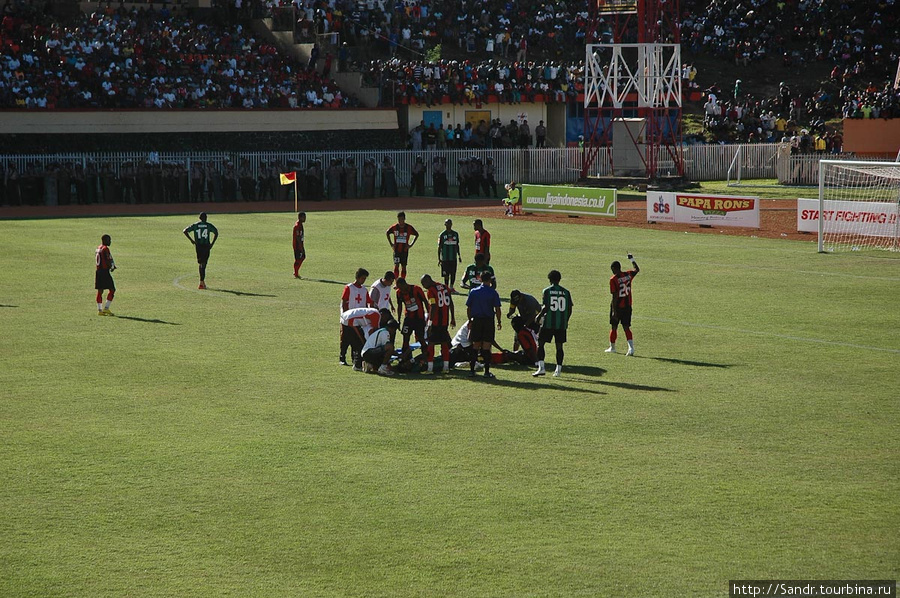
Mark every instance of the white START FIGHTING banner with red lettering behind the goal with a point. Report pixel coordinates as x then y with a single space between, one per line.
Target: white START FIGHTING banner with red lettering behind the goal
867 218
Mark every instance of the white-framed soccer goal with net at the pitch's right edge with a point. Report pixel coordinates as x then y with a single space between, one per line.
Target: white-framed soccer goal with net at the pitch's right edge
859 205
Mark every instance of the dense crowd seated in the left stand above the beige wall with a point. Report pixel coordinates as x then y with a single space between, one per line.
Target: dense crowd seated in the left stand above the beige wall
146 58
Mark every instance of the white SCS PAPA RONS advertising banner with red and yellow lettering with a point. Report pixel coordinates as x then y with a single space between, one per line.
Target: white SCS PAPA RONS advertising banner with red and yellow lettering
721 210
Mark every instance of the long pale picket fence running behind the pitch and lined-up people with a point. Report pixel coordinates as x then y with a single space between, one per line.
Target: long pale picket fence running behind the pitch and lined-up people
223 176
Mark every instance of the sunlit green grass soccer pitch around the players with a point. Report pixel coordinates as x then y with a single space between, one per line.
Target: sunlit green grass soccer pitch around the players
207 443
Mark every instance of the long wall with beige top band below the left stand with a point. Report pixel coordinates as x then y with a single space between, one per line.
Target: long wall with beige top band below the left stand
192 130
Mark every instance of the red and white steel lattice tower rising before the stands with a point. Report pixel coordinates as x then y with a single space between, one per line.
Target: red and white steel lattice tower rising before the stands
633 85
